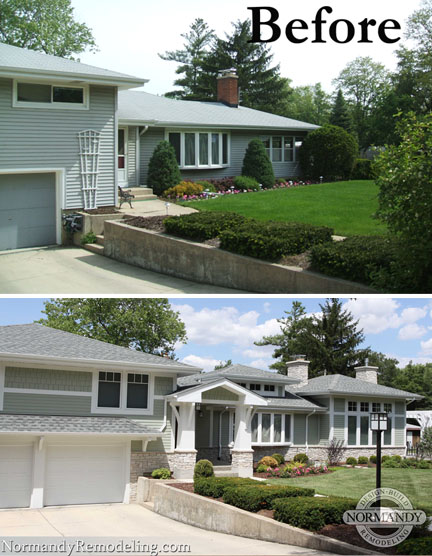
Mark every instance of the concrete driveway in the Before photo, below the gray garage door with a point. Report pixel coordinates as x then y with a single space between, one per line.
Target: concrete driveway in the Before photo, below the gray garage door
61 270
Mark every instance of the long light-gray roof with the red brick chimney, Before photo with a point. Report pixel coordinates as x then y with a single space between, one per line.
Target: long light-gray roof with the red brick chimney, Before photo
161 111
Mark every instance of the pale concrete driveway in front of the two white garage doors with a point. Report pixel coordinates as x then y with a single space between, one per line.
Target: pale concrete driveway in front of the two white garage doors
131 522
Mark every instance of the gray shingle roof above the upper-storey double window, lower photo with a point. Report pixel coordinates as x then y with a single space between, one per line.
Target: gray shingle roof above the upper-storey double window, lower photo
39 340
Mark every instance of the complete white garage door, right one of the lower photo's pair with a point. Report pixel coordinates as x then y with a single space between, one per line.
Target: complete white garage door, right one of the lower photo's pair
84 474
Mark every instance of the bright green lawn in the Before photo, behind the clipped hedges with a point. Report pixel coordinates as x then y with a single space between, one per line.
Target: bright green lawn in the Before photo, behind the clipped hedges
345 206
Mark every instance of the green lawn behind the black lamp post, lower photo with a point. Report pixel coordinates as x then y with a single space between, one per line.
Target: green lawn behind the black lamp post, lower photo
416 484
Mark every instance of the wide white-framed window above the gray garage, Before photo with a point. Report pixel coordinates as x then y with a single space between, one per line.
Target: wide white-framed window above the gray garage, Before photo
49 96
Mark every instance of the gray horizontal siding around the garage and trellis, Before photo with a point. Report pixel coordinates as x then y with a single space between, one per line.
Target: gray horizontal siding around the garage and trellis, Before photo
47 138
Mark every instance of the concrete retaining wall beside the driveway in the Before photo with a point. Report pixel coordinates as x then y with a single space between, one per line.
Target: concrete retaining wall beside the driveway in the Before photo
210 265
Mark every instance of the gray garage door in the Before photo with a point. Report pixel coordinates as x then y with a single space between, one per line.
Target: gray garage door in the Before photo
27 210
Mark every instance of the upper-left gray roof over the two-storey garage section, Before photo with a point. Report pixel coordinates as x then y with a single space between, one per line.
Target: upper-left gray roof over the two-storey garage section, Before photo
22 60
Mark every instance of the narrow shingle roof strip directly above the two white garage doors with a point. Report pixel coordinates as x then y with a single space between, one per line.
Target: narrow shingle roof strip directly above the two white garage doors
85 425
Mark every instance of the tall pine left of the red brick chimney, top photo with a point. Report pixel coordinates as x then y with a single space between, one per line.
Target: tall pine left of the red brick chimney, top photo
191 59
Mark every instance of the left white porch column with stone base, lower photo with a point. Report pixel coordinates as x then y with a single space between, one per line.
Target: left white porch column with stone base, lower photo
185 452
